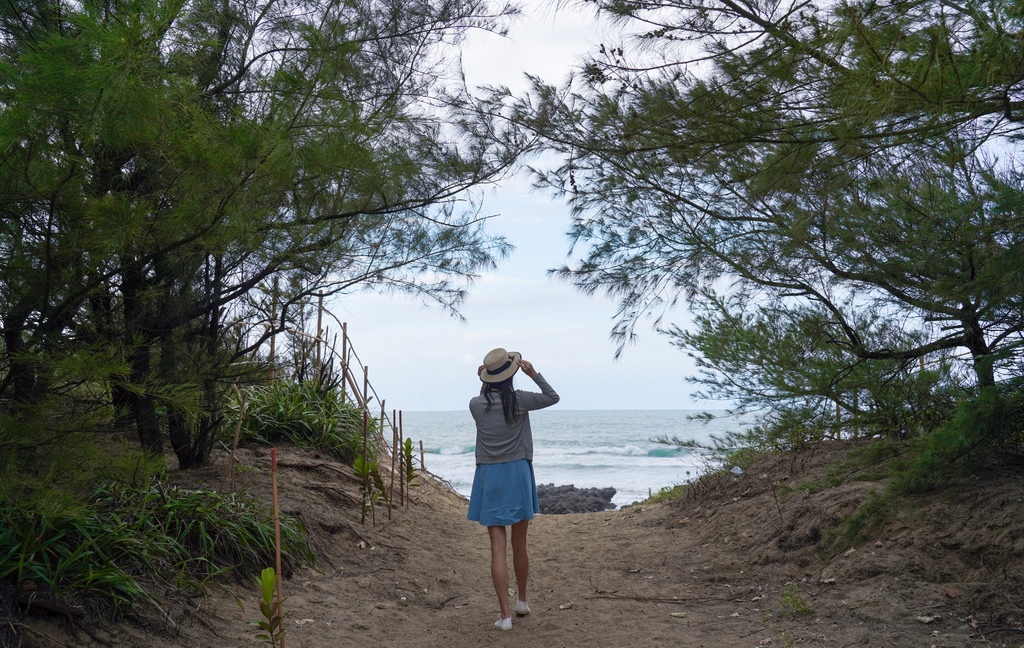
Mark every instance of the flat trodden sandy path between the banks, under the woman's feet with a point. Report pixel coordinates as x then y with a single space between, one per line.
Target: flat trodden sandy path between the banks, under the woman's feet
595 581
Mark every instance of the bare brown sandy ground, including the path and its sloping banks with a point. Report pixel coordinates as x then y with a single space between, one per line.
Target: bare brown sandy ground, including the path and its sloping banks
735 568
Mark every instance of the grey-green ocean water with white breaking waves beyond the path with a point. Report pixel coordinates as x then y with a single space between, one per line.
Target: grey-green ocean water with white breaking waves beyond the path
586 449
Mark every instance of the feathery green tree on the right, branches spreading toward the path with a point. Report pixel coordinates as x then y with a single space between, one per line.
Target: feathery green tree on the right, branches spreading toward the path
838 180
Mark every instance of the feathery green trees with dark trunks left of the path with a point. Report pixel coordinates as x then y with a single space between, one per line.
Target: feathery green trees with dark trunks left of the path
181 179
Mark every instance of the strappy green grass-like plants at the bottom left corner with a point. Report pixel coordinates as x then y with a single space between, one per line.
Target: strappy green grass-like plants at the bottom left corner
121 539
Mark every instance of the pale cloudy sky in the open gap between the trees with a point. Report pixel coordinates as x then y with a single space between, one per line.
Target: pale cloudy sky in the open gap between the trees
421 359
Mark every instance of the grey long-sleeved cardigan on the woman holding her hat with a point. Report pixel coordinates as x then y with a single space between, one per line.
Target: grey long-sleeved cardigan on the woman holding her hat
497 442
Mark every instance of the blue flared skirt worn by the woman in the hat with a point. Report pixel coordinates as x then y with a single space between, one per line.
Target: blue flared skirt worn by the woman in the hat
504 494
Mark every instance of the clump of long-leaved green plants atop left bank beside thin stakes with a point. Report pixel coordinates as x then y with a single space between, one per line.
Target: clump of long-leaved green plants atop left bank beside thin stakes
308 415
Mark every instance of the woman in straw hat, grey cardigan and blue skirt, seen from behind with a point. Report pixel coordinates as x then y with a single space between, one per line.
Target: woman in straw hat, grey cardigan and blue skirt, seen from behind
504 488
